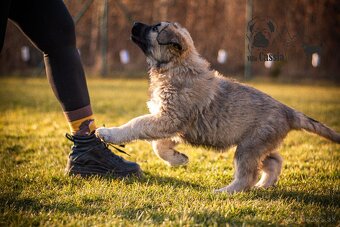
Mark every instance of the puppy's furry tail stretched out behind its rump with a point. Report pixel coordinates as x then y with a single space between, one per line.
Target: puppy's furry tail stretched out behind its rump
300 121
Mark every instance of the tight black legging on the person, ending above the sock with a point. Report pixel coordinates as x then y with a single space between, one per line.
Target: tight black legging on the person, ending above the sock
48 24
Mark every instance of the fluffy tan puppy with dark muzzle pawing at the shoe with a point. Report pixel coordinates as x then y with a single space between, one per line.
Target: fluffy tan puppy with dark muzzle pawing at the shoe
192 103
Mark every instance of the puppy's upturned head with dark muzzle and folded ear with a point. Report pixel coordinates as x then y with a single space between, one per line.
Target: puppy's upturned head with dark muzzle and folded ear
162 43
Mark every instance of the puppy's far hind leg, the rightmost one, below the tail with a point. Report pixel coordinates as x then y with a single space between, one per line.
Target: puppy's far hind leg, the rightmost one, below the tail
271 169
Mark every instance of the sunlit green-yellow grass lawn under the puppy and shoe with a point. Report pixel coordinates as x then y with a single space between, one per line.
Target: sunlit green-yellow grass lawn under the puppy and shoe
35 191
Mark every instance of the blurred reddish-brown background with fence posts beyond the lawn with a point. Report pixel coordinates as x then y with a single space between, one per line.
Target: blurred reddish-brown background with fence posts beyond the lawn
305 34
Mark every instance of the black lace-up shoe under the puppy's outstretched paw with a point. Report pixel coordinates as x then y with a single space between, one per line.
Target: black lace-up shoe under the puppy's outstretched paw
92 157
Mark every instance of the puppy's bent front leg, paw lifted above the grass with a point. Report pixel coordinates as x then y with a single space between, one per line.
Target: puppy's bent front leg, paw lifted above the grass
164 149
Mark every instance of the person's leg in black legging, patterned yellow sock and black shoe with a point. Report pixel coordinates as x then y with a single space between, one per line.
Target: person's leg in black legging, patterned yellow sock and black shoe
50 27
